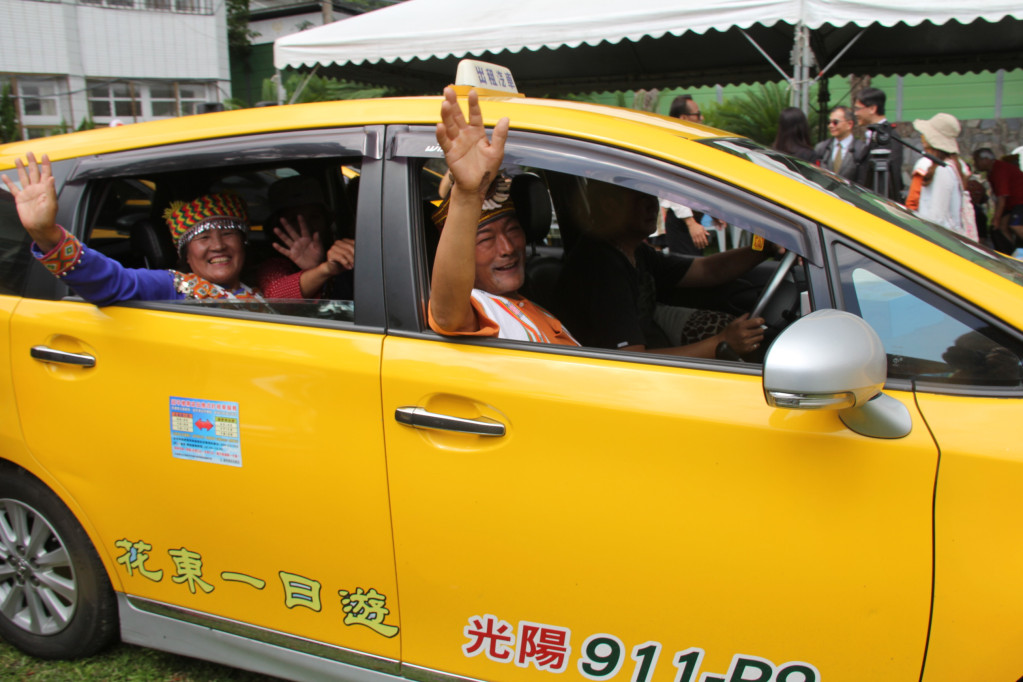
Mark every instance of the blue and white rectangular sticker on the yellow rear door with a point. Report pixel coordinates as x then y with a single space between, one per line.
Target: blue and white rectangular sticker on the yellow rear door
206 431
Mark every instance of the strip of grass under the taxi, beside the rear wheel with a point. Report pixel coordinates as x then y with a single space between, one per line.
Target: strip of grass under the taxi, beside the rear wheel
119 664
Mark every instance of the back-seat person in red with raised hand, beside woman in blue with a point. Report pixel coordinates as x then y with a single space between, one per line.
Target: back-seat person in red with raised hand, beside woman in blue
312 268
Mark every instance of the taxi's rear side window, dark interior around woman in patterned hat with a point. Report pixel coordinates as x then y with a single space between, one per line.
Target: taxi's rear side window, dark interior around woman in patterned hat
124 220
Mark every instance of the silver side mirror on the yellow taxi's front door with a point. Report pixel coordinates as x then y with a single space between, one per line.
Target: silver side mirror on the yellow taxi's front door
834 360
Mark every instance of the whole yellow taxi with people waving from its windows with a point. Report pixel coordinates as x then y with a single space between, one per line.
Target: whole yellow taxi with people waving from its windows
327 489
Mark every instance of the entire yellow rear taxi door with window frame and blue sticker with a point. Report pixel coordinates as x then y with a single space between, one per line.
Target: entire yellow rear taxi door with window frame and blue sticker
231 460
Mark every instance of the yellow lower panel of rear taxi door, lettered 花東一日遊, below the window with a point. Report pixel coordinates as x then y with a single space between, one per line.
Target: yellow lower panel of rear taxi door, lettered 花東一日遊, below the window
309 449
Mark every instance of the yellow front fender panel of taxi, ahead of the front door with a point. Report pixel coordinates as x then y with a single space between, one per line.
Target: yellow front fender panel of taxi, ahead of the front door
977 549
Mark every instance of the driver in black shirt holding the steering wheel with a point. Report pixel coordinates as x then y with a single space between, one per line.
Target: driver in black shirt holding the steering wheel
614 289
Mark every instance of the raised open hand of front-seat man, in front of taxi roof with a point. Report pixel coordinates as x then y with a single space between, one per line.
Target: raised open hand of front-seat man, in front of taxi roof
473 160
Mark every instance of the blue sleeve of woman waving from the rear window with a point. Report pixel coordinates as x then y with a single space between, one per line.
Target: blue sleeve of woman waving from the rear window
104 282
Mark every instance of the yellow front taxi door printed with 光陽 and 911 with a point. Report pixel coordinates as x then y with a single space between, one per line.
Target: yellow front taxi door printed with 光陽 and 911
640 517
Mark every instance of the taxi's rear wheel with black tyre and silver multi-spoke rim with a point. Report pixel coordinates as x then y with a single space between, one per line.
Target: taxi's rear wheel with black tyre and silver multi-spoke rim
56 597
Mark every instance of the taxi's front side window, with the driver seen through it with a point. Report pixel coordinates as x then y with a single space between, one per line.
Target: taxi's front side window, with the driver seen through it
574 269
